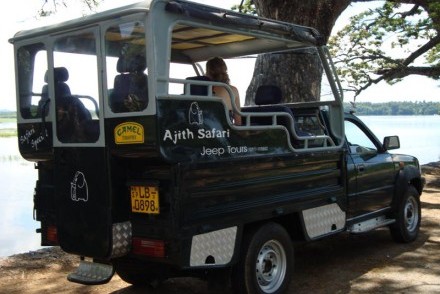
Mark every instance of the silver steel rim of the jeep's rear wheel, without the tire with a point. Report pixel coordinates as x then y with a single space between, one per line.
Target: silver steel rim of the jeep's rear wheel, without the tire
271 266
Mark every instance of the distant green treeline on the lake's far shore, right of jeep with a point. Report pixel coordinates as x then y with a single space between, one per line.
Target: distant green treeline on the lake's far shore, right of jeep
395 108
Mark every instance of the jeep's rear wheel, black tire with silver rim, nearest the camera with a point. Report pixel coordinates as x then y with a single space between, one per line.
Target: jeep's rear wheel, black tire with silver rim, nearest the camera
266 262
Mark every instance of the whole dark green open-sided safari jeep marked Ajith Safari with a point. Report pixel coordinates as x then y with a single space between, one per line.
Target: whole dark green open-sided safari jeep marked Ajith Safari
142 171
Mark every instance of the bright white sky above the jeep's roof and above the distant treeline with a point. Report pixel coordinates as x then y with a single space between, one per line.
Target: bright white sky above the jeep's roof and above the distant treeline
22 16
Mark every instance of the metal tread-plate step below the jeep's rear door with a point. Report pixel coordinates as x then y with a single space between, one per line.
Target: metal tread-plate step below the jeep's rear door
92 273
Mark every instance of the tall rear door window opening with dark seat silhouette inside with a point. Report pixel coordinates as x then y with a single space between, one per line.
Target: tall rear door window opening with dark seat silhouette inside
76 88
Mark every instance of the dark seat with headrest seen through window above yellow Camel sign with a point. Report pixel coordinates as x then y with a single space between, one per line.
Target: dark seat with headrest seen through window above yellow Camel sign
130 92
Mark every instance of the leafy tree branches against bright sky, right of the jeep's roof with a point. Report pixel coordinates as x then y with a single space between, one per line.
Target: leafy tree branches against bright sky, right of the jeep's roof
388 43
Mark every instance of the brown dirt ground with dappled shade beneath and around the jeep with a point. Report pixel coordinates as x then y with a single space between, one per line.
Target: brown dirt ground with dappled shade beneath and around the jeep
369 263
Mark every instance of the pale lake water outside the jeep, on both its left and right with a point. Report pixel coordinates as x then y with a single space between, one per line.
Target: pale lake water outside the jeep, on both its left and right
419 136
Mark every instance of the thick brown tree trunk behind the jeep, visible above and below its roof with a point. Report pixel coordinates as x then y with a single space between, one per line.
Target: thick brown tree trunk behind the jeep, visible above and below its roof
298 76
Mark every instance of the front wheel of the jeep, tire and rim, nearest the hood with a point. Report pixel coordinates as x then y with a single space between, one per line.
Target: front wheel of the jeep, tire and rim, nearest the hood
408 217
